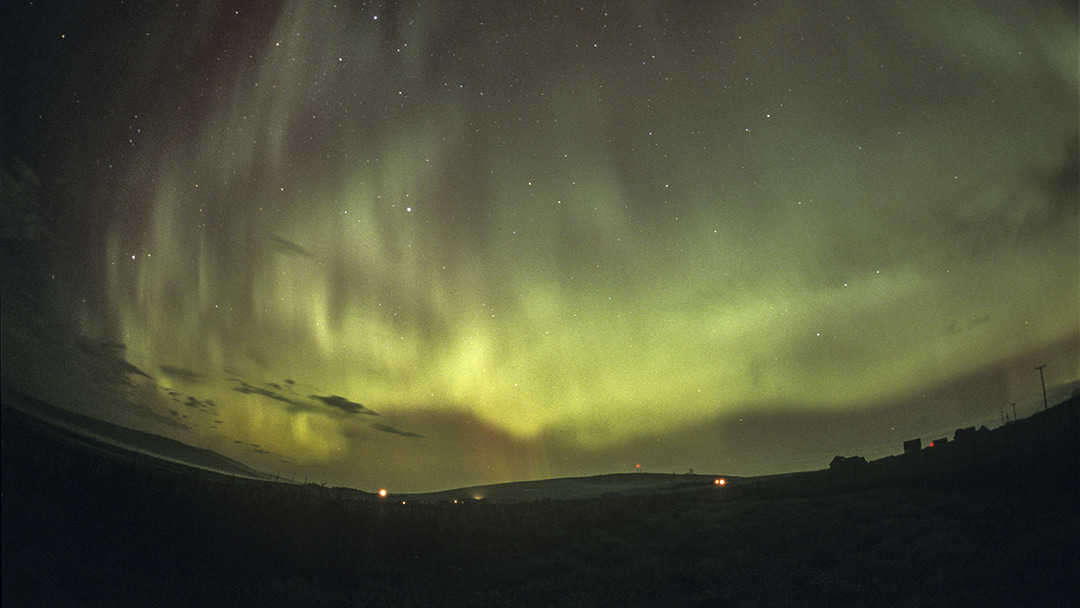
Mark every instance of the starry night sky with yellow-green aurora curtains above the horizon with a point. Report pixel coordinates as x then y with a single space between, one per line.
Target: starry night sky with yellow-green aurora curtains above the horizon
426 246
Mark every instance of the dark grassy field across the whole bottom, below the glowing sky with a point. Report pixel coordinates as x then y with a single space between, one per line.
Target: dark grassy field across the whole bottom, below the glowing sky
993 523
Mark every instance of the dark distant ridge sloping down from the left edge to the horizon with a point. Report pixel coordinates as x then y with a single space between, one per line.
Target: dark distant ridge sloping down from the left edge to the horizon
112 438
